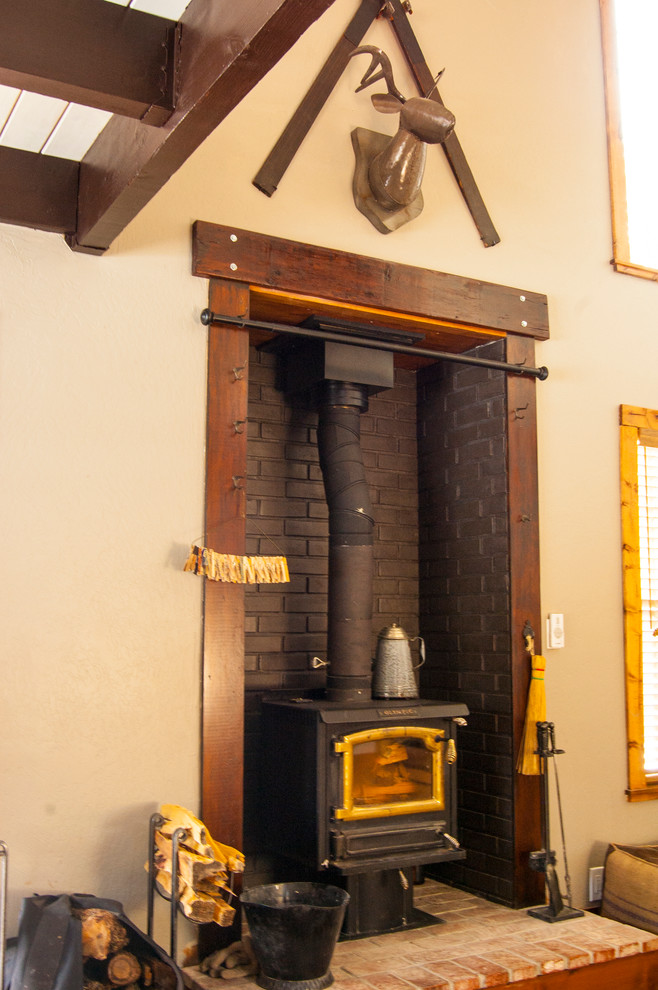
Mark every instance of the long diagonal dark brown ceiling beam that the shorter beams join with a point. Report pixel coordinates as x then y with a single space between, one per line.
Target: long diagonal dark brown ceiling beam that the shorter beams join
225 48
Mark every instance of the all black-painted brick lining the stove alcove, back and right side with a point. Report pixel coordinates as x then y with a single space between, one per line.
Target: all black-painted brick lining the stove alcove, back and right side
435 454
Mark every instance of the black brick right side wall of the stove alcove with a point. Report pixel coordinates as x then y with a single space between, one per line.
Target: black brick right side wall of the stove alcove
465 605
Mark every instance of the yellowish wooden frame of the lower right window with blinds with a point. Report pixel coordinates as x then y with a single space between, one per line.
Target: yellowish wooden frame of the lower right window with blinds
632 420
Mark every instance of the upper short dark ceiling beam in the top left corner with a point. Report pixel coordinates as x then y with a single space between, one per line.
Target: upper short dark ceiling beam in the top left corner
90 52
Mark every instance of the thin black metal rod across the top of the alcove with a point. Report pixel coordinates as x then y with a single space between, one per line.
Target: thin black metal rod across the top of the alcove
208 317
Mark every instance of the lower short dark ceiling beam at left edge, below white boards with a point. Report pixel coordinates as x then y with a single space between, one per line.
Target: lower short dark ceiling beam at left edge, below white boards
38 190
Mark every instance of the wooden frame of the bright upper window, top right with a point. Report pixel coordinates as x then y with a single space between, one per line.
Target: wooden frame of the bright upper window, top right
621 260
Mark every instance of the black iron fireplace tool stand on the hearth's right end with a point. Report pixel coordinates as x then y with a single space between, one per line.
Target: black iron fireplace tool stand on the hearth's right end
543 860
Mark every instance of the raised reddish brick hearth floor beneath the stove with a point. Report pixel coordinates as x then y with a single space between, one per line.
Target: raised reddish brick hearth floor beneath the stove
479 945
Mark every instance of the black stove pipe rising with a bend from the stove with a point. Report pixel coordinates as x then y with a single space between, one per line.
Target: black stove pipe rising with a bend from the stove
351 526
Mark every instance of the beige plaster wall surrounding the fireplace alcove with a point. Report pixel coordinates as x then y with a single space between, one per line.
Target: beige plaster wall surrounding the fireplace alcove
102 395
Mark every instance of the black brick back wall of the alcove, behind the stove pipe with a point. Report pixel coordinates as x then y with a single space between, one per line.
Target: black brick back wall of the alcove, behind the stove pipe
286 625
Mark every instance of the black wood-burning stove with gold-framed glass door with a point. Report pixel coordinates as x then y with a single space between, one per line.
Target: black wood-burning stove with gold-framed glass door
359 790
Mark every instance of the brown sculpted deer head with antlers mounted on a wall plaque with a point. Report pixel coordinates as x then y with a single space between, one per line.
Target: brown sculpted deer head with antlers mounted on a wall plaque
389 170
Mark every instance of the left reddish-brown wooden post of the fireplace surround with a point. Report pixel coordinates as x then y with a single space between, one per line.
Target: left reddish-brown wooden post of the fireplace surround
223 626
